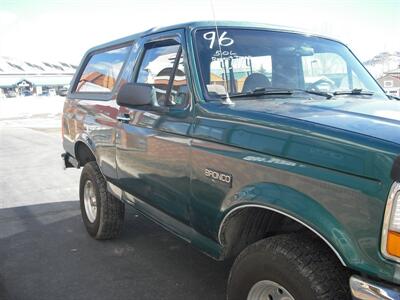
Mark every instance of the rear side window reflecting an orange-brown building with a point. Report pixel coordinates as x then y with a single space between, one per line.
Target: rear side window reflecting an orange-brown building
102 71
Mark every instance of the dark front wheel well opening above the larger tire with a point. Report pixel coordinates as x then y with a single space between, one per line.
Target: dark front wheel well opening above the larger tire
248 225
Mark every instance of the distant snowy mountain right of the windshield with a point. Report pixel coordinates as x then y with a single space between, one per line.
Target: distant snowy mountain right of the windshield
383 62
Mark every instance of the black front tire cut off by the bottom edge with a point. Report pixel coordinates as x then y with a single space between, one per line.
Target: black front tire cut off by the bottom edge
301 264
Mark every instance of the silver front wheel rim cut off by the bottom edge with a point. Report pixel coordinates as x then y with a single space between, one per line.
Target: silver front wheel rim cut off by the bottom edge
268 290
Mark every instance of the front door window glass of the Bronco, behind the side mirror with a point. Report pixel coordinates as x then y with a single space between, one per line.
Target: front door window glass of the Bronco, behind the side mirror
157 70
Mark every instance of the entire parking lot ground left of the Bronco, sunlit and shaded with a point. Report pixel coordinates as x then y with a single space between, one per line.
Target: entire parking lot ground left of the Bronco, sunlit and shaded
45 252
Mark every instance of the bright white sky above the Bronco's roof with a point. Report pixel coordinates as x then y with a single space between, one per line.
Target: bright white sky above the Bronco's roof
65 29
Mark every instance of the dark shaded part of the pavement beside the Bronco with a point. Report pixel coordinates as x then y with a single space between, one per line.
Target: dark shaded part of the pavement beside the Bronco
45 253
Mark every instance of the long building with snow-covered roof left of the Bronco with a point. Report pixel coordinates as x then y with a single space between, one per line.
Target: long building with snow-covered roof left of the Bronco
24 78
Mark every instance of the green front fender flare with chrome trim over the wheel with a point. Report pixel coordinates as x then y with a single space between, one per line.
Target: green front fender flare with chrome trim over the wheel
296 206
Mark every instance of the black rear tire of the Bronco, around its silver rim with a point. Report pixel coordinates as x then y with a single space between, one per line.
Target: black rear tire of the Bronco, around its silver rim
110 212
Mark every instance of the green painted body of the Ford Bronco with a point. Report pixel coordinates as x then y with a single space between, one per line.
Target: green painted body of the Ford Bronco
326 165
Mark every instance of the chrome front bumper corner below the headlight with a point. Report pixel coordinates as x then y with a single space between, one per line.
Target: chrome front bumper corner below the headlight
364 289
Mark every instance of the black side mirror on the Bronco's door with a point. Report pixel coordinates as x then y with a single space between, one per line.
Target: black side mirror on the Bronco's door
135 94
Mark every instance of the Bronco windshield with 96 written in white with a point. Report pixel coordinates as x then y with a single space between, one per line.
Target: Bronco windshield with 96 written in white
238 61
